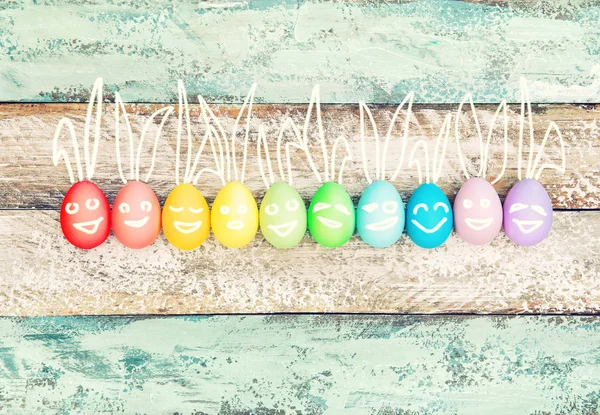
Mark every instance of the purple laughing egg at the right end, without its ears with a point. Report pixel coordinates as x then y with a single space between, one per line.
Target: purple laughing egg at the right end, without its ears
527 213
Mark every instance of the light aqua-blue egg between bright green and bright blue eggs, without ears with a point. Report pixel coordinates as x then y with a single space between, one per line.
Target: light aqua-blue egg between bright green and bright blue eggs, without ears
380 215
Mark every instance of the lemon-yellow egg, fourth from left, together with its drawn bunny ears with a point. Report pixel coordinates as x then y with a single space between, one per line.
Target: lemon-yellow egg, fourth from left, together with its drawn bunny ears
234 214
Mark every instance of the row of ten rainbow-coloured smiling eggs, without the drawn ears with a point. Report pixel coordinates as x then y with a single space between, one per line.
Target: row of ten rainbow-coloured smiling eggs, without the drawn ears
380 217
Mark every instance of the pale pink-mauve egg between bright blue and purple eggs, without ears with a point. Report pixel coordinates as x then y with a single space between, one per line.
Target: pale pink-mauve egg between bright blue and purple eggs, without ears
477 212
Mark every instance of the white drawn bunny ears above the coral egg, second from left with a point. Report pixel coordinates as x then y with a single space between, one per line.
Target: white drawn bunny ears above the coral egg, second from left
121 113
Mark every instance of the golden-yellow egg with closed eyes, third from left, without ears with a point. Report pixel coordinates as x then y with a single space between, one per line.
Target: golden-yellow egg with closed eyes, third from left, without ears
186 217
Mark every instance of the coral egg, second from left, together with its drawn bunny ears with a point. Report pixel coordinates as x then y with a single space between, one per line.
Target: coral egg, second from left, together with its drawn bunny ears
136 216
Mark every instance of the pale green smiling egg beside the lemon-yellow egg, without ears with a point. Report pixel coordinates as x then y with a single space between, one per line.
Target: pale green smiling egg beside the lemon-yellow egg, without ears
282 216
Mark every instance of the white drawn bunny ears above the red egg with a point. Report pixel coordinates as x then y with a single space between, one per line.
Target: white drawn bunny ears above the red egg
90 158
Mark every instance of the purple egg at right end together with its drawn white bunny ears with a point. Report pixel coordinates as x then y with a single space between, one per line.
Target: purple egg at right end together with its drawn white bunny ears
527 207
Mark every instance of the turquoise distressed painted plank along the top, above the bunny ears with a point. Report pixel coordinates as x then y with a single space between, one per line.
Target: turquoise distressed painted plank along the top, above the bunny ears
374 51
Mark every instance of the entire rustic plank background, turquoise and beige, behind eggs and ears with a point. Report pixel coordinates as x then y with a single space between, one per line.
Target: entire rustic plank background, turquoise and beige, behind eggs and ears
377 51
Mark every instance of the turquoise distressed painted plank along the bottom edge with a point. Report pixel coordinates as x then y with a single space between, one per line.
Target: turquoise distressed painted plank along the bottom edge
331 364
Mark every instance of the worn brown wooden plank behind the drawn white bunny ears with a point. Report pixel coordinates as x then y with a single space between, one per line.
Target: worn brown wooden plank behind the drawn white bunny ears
29 180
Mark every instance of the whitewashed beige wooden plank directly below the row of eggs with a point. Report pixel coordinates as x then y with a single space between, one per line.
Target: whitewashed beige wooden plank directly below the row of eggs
42 274
